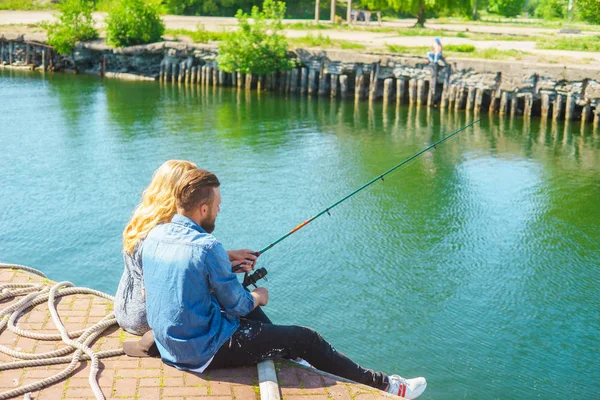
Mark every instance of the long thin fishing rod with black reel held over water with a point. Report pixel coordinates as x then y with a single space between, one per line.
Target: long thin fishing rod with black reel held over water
261 272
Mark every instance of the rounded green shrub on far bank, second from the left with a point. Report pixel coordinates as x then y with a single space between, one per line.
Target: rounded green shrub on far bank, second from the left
132 22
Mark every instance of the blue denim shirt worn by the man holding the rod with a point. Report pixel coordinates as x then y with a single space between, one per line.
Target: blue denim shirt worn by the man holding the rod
188 280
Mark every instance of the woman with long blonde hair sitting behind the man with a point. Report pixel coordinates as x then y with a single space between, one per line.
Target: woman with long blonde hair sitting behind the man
157 207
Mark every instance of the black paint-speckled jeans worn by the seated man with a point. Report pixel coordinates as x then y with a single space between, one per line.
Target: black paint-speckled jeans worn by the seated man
255 341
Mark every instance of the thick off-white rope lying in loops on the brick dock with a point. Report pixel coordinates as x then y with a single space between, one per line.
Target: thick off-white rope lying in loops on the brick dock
36 294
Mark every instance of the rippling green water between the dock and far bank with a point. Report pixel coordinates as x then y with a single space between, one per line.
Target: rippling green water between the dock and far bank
475 266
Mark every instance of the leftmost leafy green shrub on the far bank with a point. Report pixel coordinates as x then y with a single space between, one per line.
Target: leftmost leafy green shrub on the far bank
75 24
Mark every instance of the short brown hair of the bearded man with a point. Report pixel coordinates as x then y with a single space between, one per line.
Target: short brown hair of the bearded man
196 187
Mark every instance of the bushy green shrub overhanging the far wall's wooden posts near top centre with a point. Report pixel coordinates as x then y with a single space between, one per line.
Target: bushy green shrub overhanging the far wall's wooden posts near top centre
257 47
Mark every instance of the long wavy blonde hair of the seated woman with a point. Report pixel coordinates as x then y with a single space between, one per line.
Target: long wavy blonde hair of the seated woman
158 202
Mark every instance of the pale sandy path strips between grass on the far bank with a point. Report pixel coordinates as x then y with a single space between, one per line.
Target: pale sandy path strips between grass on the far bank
10 21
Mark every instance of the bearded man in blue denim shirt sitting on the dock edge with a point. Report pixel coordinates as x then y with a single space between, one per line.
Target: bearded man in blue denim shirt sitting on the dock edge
194 301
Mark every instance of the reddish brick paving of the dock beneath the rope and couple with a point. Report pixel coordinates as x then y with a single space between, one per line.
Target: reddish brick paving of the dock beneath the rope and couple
145 378
